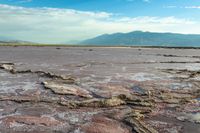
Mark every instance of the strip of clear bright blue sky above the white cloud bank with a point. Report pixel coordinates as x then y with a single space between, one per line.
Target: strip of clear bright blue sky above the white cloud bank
124 7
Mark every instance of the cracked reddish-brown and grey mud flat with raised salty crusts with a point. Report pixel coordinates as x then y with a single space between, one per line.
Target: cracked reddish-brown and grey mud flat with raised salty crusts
99 90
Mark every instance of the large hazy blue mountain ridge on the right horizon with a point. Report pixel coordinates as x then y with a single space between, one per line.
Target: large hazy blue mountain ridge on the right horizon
139 38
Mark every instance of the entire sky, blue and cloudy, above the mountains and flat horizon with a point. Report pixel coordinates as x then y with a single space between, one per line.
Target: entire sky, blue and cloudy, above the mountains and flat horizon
65 21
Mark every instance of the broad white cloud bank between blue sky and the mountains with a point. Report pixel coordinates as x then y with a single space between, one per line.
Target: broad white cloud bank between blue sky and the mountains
53 25
